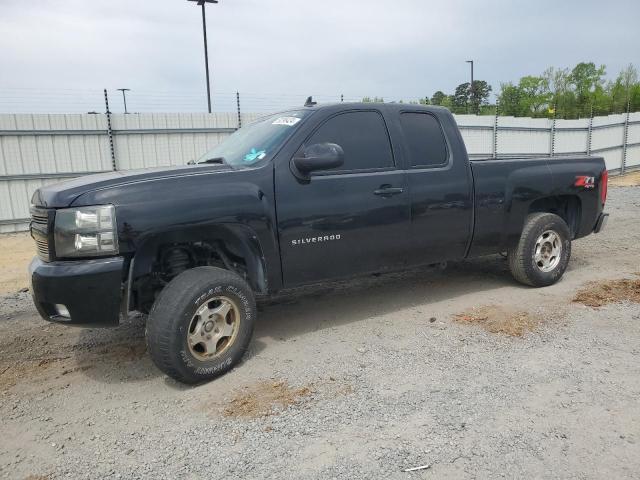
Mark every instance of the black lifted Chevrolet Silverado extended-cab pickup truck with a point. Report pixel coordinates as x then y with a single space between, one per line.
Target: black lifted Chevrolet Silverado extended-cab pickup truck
300 197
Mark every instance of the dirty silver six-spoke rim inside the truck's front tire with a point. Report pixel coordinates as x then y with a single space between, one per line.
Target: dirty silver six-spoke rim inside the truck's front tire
213 328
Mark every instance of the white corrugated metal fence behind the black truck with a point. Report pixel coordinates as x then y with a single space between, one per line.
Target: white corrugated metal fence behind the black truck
36 150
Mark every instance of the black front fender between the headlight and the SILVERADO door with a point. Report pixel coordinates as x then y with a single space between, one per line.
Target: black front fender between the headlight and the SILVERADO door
235 206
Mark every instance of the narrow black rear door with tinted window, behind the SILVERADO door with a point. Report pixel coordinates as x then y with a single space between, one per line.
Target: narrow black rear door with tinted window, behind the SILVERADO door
440 188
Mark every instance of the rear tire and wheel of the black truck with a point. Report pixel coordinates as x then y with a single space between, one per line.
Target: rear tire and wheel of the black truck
542 254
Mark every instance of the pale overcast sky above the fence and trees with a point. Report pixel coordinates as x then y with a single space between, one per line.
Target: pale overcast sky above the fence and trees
59 55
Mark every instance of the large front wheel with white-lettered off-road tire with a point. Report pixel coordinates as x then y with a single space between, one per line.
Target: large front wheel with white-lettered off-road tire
201 324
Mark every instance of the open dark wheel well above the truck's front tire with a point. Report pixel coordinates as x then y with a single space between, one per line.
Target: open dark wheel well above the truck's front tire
162 259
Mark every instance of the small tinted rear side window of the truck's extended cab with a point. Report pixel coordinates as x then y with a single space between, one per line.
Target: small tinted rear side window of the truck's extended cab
425 143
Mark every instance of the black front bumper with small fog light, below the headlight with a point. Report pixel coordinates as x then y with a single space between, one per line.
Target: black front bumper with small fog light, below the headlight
90 290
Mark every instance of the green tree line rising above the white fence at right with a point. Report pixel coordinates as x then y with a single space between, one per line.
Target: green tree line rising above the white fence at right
561 92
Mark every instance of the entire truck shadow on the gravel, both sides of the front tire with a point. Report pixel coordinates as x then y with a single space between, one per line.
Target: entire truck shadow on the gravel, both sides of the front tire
119 355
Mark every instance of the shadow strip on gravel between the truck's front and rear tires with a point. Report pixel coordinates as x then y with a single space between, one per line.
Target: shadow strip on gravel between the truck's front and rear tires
322 307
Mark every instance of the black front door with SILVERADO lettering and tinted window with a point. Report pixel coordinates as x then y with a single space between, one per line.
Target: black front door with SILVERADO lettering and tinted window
347 221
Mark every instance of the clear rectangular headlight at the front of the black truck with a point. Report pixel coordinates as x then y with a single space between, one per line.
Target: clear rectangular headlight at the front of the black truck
86 231
